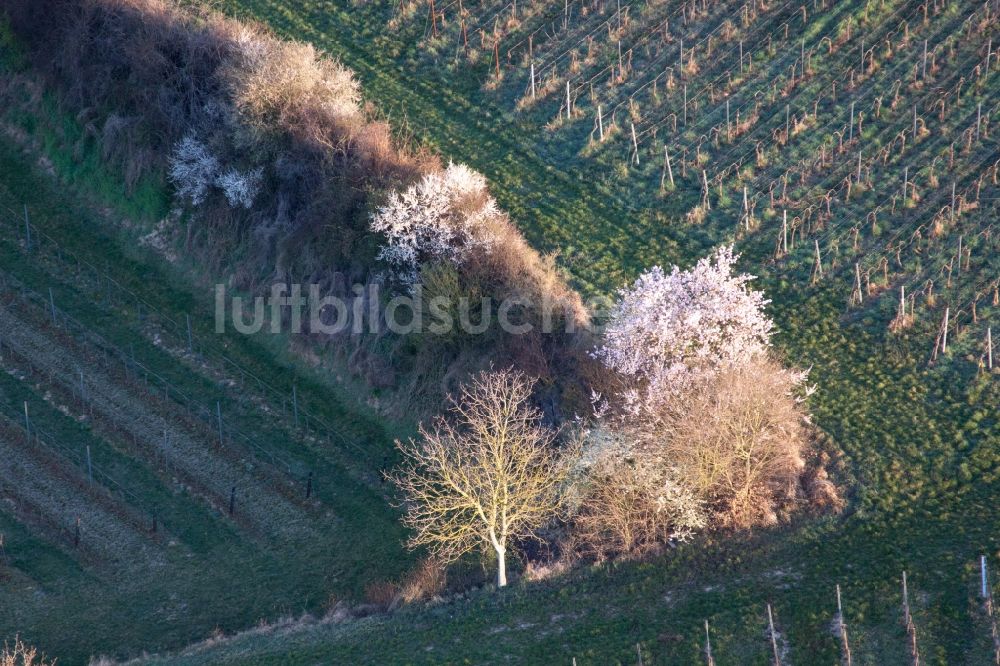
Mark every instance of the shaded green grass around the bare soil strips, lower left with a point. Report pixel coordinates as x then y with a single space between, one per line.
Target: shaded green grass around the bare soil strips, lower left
219 575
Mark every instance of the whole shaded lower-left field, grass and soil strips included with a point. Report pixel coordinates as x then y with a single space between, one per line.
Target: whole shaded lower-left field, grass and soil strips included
125 588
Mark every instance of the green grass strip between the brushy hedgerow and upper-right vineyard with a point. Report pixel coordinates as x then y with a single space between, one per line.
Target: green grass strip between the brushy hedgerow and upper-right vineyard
562 204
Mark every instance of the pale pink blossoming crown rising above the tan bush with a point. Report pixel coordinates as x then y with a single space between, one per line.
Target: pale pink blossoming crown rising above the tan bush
670 328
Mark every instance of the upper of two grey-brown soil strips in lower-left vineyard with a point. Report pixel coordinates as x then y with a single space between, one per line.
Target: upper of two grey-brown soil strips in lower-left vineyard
265 509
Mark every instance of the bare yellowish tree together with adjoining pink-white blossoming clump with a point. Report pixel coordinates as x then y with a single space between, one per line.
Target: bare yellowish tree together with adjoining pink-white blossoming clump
702 428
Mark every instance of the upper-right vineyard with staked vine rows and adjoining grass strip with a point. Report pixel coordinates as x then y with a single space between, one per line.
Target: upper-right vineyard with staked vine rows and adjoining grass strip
849 143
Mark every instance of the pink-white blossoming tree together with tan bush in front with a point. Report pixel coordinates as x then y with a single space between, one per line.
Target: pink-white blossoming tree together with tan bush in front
710 417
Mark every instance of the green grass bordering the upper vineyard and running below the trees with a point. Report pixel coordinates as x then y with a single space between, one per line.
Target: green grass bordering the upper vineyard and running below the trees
921 444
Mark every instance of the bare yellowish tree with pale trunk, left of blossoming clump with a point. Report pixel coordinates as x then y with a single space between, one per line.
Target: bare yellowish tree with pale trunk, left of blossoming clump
484 477
